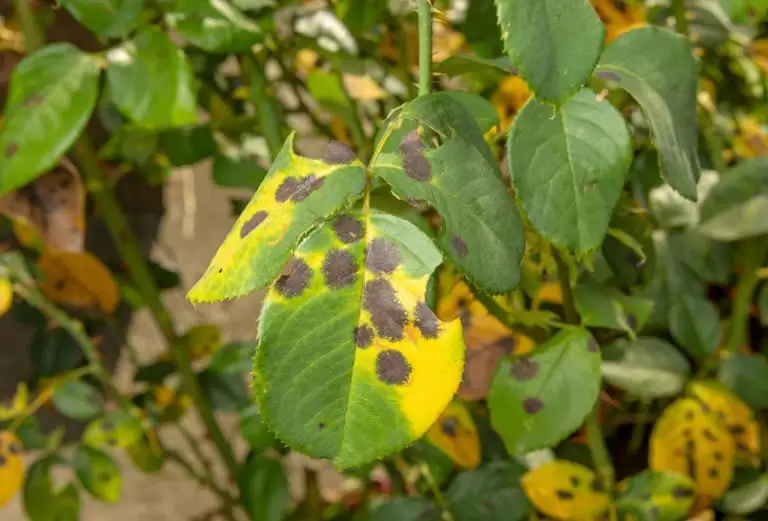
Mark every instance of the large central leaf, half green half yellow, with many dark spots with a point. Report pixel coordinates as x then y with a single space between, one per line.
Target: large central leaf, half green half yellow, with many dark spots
347 340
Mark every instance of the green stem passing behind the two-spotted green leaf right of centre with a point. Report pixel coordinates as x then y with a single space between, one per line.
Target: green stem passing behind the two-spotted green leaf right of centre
595 437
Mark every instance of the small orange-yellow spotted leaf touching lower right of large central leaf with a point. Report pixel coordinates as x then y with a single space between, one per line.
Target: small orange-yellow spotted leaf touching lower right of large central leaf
455 433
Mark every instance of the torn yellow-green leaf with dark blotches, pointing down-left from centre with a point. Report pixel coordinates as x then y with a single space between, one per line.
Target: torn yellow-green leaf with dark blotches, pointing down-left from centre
296 194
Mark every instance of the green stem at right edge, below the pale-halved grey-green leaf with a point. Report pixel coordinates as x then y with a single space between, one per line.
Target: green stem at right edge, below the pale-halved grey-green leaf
752 252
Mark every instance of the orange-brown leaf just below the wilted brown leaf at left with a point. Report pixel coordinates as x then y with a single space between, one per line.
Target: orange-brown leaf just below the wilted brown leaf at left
78 279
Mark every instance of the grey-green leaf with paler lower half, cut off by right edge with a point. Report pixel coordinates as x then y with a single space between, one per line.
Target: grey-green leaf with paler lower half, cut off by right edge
737 206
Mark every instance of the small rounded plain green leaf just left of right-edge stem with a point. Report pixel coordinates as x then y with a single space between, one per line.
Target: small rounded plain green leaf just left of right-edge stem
695 324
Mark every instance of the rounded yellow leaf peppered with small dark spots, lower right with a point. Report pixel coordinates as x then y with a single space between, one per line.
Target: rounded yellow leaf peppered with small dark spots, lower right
692 442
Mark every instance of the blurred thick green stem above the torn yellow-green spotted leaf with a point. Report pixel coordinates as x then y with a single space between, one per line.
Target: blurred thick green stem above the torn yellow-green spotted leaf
271 122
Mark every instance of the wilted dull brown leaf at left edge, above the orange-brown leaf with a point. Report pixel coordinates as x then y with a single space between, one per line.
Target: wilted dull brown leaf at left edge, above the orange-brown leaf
54 205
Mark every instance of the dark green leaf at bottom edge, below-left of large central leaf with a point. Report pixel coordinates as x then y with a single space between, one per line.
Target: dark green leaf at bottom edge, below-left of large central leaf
264 488
